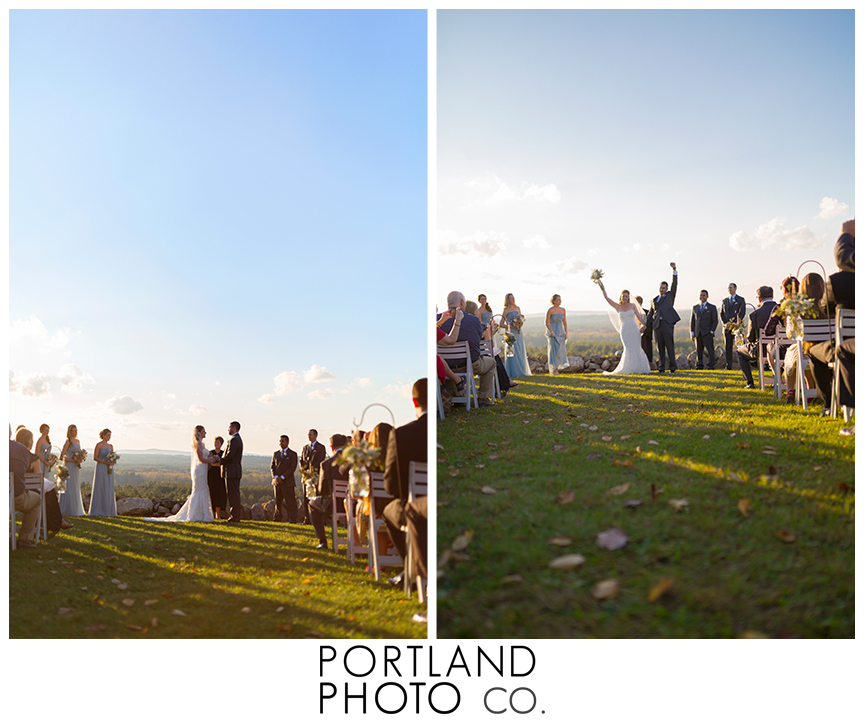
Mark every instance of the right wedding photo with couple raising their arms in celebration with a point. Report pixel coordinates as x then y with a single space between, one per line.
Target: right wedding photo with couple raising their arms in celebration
645 324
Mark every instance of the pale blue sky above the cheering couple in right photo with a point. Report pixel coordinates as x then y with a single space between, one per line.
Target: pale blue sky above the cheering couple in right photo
624 140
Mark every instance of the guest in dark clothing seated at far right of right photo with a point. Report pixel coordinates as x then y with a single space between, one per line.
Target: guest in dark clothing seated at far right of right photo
839 292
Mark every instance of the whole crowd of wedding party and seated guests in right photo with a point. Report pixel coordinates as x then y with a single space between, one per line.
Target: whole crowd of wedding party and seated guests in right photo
814 360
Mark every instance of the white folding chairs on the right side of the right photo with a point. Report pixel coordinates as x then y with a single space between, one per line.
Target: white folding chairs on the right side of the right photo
837 330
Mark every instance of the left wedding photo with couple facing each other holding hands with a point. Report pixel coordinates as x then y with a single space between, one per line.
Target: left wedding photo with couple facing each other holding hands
217 393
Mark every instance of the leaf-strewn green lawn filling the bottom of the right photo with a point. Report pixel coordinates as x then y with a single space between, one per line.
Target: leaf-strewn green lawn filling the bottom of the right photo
732 573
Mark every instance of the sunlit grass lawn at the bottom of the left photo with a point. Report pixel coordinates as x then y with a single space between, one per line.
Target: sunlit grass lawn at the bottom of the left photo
253 580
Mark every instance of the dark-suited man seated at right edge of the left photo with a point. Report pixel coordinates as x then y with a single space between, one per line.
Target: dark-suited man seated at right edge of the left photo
407 443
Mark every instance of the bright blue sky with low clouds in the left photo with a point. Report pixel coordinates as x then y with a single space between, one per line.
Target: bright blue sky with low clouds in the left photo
214 216
